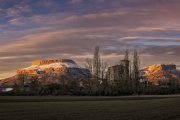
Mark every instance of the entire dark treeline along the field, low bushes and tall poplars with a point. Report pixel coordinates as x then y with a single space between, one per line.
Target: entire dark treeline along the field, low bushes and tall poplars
98 83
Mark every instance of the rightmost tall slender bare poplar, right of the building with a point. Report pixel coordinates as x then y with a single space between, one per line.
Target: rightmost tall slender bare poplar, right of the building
135 73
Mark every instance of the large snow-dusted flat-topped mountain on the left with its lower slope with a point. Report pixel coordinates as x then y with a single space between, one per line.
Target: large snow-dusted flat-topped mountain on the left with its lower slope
50 71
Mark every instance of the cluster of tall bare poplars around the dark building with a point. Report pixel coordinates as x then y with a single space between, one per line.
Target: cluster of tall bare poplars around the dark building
126 82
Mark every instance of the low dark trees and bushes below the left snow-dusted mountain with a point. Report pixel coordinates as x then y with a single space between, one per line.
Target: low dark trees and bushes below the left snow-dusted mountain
35 87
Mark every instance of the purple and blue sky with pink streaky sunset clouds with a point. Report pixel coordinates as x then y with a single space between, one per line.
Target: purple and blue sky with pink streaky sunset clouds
54 29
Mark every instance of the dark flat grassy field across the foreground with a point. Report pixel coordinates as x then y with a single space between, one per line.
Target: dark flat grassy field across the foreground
90 108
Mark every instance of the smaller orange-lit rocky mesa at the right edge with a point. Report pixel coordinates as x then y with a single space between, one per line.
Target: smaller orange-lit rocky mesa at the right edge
162 73
